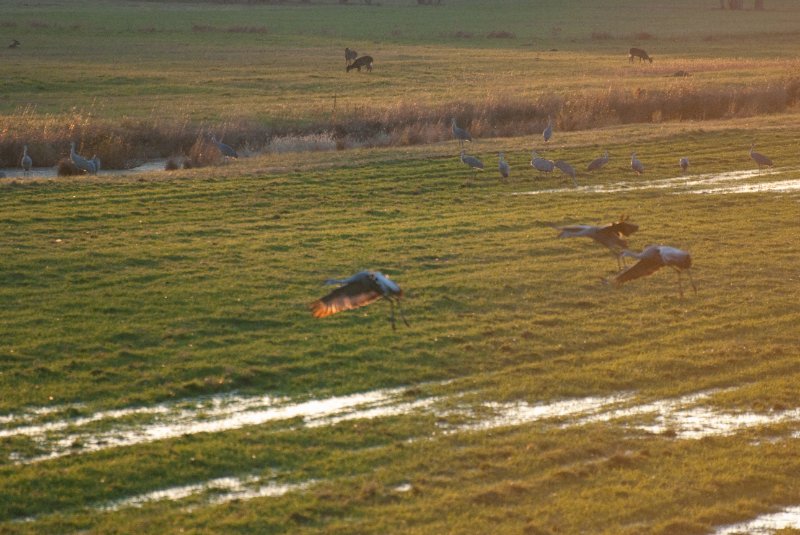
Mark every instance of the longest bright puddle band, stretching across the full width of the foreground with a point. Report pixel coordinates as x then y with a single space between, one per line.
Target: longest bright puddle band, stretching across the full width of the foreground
684 417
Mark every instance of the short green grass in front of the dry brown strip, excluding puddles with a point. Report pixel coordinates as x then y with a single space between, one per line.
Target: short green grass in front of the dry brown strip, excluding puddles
127 292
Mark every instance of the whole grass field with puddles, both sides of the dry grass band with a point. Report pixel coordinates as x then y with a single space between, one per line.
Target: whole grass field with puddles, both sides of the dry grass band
160 371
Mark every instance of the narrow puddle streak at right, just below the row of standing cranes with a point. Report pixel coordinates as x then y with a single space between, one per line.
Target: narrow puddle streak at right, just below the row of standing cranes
684 182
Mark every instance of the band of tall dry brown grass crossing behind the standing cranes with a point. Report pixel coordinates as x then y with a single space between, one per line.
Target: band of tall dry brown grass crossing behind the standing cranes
130 142
